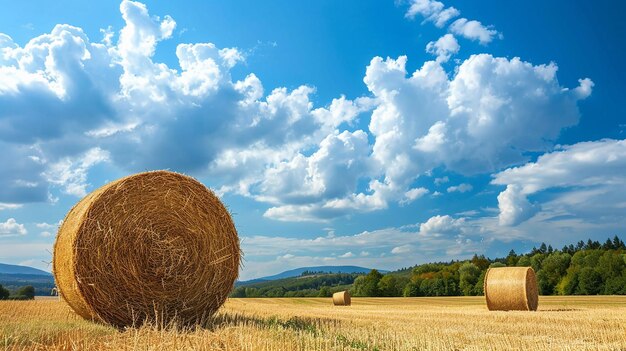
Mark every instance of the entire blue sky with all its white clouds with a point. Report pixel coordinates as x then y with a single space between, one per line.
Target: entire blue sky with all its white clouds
374 133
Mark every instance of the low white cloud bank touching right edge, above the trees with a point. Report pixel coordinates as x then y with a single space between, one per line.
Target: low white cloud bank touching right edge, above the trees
586 180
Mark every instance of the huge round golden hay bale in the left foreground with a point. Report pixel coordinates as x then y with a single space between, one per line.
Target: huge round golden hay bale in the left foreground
154 247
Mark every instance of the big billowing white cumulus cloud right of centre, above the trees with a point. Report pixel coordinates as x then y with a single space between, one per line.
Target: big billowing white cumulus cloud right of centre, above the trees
484 118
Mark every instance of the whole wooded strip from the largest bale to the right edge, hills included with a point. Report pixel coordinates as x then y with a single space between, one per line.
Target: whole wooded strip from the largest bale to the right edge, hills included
587 268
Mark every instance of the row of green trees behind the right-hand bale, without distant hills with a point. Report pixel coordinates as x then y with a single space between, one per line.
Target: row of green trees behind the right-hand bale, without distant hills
584 269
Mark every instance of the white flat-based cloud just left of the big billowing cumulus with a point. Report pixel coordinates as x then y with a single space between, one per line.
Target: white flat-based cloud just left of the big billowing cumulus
317 185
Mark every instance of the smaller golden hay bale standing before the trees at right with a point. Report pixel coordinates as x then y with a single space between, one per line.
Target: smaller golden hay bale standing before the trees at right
511 288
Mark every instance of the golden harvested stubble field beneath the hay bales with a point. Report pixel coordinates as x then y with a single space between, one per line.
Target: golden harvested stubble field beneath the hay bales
454 323
